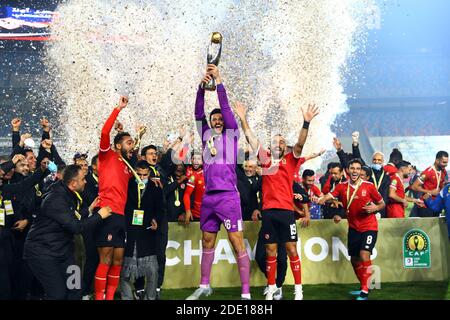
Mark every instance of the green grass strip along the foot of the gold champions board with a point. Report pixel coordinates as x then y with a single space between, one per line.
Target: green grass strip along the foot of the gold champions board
388 291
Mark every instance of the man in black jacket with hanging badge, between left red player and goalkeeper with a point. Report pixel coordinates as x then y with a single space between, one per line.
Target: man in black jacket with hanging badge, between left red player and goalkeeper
143 213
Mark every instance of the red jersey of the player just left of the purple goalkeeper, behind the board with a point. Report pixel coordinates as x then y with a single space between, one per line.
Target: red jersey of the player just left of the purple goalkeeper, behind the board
196 185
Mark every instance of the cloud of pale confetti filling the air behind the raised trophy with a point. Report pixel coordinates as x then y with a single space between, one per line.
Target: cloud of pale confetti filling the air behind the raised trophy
277 56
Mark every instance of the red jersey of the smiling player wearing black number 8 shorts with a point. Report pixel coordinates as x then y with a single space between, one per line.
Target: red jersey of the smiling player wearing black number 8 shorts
358 218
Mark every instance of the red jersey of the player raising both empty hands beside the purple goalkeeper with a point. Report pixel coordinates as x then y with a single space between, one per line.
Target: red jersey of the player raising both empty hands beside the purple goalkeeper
278 179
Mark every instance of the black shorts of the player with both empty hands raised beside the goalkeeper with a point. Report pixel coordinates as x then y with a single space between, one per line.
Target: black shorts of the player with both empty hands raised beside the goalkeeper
278 226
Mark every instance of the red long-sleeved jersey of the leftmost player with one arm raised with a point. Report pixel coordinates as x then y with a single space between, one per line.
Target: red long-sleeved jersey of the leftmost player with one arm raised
113 173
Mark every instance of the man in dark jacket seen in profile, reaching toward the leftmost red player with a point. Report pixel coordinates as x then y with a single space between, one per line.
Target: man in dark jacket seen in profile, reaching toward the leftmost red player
49 248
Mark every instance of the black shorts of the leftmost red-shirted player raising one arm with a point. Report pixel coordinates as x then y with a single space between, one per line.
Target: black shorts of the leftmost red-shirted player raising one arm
110 232
